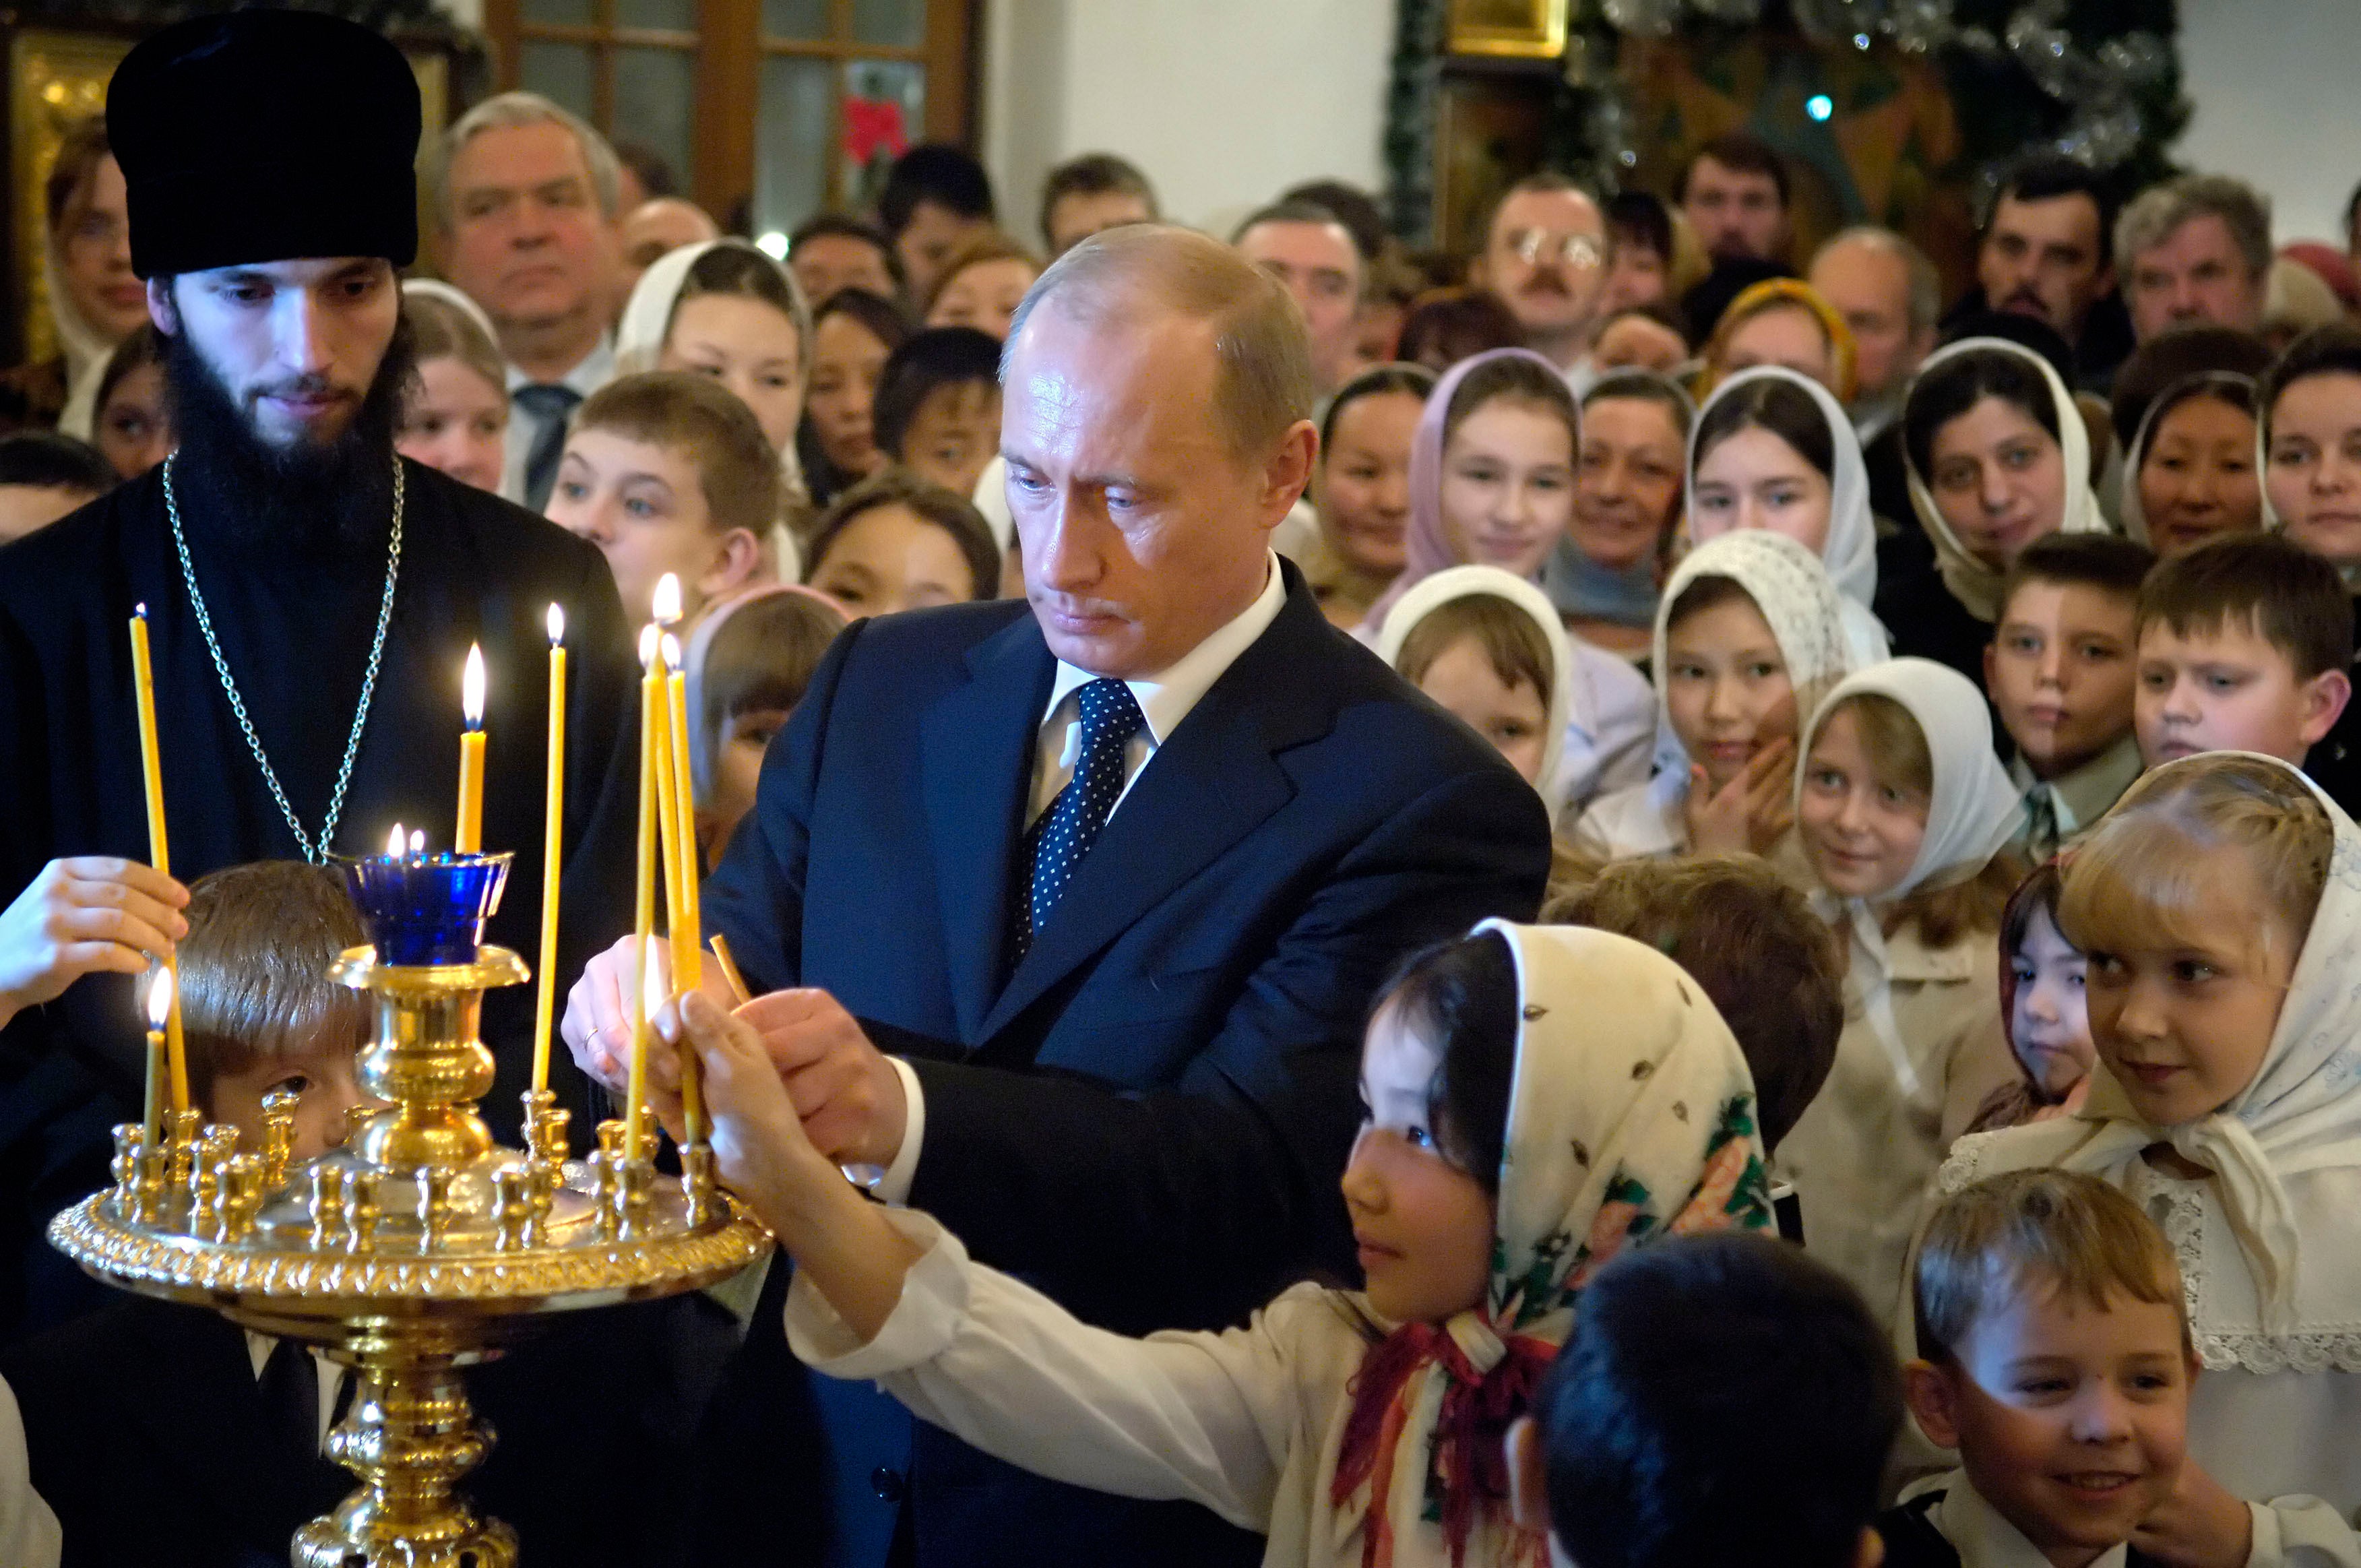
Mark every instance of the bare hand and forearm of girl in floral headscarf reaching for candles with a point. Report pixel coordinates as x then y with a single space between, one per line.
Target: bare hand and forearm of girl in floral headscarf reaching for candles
839 1241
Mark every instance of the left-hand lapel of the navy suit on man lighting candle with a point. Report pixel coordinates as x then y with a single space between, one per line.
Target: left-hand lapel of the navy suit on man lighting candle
976 752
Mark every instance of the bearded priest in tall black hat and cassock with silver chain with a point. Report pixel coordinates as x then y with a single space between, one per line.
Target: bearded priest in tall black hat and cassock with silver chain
310 599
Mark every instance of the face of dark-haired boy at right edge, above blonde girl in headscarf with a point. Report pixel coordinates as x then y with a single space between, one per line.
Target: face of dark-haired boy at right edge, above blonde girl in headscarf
2228 691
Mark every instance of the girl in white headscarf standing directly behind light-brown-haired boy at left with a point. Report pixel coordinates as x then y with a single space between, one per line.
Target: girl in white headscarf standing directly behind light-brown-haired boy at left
726 311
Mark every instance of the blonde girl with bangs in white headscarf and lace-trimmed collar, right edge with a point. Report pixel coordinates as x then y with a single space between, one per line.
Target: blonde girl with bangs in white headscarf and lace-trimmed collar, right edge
2221 906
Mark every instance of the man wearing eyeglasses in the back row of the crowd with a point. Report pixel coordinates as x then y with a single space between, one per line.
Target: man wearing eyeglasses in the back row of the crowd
1548 259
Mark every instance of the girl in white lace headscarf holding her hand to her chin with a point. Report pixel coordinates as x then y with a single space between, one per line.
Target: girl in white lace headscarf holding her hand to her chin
1748 639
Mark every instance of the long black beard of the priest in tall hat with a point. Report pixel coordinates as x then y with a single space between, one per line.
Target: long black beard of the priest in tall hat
332 495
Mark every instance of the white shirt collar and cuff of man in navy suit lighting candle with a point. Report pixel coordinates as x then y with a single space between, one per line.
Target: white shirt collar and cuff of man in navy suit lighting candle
1165 700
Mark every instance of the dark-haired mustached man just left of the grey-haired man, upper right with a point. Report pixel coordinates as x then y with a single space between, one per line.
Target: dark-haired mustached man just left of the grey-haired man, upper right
2046 256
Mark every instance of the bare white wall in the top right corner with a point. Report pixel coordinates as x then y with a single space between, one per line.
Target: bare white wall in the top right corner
2275 105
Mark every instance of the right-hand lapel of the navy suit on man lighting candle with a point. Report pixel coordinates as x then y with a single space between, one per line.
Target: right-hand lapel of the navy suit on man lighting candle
1212 783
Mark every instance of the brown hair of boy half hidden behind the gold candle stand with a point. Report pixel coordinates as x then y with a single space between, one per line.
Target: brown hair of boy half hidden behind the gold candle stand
254 969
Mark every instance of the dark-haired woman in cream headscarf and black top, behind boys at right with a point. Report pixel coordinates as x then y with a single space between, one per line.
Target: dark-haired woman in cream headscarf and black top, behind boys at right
1999 457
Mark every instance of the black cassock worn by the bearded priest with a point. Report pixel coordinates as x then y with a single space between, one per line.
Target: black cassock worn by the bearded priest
296 625
